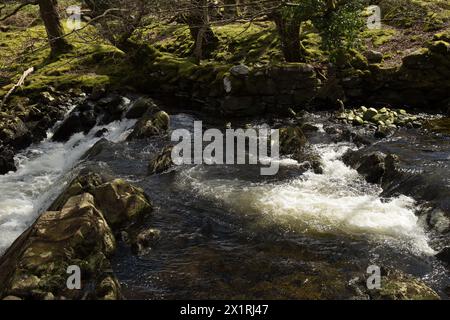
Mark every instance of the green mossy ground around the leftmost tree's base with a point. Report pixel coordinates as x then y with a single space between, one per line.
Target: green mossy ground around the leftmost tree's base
86 66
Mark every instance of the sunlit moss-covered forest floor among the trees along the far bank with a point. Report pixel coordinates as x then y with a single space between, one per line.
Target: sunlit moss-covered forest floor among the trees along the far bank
407 26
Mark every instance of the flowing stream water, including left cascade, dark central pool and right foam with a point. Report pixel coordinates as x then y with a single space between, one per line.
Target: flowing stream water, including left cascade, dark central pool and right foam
225 229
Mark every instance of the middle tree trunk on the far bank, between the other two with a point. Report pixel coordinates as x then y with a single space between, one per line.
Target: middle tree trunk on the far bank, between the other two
205 41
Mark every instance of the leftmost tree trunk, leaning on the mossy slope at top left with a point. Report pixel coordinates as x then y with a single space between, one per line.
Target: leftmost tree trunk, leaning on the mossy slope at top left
55 32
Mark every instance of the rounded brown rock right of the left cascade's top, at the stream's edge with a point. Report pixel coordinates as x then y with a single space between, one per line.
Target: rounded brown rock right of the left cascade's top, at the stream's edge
150 126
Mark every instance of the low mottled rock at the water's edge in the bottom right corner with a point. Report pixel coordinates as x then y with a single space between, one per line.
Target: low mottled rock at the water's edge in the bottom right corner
396 285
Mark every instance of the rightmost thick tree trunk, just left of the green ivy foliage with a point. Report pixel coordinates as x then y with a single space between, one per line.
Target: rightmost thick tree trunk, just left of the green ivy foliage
289 32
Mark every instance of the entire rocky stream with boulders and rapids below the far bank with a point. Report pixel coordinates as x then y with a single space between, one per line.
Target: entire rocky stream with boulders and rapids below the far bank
345 198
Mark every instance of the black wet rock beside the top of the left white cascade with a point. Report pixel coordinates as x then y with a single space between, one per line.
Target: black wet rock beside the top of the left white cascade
78 121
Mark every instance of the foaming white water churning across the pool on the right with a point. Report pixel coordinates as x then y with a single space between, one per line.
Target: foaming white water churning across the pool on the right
337 201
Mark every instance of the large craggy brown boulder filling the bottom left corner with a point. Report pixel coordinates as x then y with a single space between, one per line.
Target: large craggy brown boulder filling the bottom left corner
36 265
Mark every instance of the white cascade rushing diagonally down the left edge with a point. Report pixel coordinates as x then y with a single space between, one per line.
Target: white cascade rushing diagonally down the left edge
40 176
